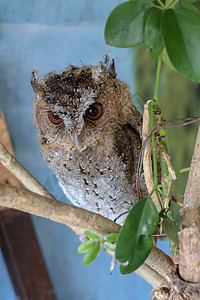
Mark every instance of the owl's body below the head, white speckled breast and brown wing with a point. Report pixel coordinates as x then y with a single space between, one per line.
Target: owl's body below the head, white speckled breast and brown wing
101 178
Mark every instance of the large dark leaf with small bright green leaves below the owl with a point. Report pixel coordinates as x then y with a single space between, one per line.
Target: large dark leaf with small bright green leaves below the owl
134 242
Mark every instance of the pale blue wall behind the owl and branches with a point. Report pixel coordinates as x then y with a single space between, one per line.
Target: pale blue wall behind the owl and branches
48 35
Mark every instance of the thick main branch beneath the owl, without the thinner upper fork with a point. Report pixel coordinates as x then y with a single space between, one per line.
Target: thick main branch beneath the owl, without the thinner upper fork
77 218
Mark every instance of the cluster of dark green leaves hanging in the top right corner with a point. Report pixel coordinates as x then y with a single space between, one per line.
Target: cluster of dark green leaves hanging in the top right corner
170 25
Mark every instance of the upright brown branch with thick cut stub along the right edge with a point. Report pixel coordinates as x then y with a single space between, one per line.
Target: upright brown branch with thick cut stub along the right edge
189 258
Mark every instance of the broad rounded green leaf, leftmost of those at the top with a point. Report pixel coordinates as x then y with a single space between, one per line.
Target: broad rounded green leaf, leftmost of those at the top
124 26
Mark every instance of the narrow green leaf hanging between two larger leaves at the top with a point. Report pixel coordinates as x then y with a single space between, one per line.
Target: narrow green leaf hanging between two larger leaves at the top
152 34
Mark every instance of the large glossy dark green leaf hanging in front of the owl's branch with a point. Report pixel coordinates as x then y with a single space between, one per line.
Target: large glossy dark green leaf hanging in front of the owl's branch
135 242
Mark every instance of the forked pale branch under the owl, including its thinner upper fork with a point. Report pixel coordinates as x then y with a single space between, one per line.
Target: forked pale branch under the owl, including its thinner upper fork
41 203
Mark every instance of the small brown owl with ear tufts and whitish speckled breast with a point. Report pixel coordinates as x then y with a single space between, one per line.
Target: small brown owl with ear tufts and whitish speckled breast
89 134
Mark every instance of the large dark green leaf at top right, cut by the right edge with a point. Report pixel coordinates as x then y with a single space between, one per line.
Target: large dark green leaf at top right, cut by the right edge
180 29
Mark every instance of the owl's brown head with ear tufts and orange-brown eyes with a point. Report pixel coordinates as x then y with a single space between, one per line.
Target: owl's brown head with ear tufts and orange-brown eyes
77 106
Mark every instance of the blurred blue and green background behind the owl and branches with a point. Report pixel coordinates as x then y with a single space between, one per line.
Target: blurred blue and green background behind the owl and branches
48 35
